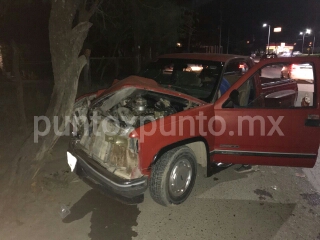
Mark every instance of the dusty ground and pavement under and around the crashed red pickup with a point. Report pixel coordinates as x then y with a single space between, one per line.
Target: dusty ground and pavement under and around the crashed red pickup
269 203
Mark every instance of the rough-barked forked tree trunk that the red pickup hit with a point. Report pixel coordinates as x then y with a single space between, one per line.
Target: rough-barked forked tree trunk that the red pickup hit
65 46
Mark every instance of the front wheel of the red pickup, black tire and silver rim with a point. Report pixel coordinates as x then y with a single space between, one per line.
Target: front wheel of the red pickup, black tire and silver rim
167 188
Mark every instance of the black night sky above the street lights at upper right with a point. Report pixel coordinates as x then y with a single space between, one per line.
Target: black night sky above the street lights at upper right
244 18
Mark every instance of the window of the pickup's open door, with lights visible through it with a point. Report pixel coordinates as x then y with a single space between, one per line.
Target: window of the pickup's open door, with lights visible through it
278 86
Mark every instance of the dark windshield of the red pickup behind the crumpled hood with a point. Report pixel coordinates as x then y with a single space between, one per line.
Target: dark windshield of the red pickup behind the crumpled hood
193 77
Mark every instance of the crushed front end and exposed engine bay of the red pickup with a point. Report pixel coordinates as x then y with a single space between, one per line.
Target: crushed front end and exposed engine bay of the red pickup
103 125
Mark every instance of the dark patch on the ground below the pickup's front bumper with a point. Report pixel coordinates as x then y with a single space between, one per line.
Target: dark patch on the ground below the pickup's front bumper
110 219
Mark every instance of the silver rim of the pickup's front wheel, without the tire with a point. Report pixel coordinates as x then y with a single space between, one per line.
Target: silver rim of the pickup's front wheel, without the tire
180 178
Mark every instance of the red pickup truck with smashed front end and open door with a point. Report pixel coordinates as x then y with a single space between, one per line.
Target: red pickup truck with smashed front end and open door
189 110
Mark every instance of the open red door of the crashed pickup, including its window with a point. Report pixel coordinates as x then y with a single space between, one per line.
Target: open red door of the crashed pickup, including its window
271 115
